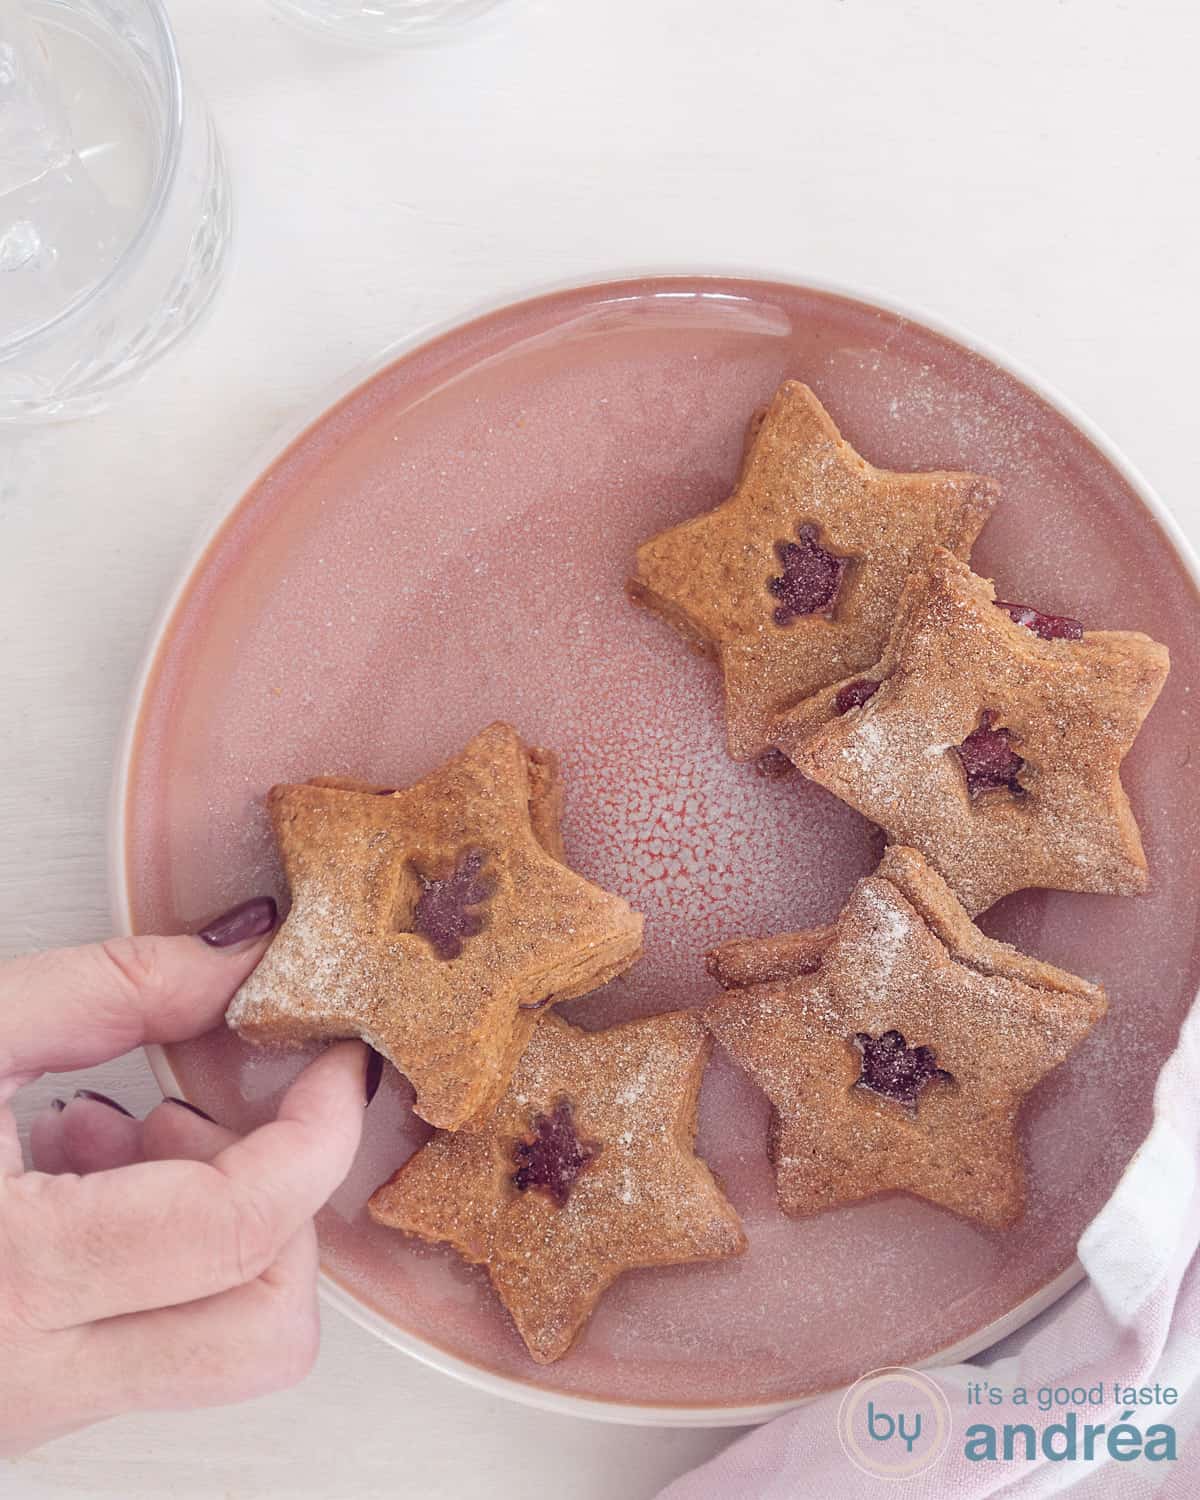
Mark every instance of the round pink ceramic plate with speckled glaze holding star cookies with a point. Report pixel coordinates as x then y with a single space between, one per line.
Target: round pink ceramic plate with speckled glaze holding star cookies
446 547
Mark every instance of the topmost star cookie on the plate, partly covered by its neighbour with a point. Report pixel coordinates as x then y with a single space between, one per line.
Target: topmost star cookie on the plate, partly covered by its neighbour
794 581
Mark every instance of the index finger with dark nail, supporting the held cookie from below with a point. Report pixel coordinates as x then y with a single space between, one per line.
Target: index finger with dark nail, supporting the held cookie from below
166 1232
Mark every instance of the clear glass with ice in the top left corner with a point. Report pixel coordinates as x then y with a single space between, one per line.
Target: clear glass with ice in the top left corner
115 205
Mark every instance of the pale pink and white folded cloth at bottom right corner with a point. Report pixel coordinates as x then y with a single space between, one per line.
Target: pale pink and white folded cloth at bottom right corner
1136 1321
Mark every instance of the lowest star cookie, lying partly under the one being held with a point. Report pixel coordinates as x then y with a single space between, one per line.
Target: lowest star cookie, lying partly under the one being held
586 1171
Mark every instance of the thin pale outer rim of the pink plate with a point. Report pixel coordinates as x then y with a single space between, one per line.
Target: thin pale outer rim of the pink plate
266 457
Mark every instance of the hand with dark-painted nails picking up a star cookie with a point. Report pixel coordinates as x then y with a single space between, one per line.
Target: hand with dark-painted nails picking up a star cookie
157 1264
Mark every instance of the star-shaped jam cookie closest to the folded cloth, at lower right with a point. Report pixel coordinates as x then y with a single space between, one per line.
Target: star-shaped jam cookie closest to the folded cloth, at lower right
901 1061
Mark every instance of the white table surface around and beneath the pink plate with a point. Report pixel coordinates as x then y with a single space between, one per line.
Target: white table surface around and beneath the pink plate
1025 170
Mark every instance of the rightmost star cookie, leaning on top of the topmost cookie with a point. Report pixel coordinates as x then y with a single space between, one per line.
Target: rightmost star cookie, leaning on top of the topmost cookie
994 746
